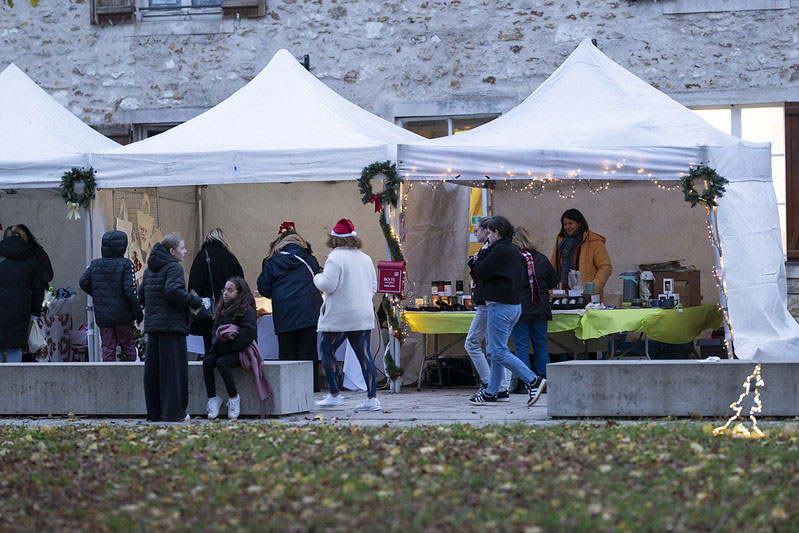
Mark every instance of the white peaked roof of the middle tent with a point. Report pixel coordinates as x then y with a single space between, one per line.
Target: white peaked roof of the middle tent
284 125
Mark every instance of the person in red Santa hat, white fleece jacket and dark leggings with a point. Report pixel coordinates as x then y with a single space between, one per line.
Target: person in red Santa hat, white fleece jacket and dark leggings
349 282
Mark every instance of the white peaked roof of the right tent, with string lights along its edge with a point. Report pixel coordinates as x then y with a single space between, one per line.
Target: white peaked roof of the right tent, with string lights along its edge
590 116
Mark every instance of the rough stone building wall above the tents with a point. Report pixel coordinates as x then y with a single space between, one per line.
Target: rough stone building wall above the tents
399 58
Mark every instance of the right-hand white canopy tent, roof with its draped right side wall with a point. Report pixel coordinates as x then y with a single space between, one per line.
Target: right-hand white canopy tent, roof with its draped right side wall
593 120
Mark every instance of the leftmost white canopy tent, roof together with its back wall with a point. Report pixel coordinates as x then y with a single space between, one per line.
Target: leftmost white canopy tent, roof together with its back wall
41 140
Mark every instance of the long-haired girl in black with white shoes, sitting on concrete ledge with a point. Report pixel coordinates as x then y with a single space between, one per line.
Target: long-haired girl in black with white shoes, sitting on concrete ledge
236 308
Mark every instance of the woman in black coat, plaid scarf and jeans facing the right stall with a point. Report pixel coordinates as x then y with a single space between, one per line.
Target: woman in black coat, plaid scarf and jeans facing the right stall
536 311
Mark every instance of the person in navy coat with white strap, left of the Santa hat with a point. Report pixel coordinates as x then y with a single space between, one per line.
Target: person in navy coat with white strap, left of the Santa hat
287 278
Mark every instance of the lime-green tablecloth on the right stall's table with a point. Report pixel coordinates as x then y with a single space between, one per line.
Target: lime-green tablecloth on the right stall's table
673 326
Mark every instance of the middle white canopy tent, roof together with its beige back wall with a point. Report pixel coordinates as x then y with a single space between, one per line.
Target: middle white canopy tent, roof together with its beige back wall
283 127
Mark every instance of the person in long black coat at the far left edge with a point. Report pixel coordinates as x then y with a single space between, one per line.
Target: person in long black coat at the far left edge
21 295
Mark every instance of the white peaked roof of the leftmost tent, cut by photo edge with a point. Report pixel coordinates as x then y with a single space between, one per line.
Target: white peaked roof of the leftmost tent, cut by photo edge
40 138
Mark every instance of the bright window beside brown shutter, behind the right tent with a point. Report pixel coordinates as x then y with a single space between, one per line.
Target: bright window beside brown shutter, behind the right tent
763 123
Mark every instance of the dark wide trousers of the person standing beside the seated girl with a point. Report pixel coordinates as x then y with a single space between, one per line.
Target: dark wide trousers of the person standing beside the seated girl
166 377
